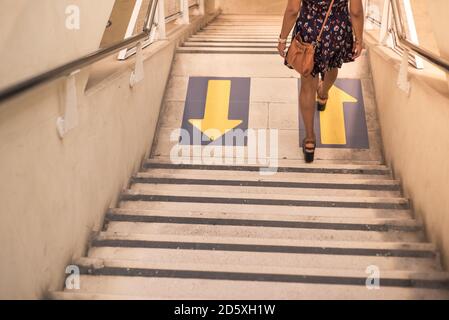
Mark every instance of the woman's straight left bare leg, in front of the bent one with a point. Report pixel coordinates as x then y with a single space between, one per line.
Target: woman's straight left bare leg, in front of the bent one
307 101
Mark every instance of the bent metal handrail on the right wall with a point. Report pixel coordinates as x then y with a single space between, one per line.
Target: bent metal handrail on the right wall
412 47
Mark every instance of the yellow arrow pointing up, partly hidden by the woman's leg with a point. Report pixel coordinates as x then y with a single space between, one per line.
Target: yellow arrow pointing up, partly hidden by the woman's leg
333 119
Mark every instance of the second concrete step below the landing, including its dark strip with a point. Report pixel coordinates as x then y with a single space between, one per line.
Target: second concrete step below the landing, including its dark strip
260 187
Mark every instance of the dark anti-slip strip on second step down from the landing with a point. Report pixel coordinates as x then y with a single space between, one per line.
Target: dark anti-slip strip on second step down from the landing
269 184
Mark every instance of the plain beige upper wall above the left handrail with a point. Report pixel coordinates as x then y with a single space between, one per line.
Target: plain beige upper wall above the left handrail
34 37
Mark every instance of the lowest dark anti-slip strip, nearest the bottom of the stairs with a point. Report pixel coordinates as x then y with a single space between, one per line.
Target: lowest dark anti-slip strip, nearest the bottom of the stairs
235 276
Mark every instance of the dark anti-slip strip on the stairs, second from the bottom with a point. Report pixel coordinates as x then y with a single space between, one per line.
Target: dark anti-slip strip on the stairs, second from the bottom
142 244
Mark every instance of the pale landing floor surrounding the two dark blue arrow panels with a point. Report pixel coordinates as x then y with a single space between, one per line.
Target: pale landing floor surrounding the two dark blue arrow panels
273 102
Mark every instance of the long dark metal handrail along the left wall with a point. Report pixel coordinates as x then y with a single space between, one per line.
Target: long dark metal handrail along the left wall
70 67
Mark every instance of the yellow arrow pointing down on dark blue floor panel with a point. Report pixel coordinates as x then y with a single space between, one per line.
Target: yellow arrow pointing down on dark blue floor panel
216 121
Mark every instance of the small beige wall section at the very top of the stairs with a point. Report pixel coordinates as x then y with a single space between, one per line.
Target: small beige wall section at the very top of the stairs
269 7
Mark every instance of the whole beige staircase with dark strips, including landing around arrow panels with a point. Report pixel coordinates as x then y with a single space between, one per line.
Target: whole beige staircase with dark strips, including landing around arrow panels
197 231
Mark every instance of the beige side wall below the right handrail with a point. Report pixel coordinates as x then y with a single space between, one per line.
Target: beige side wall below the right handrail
415 135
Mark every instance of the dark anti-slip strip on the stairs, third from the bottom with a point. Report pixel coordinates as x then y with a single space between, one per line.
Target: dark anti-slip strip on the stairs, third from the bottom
261 223
